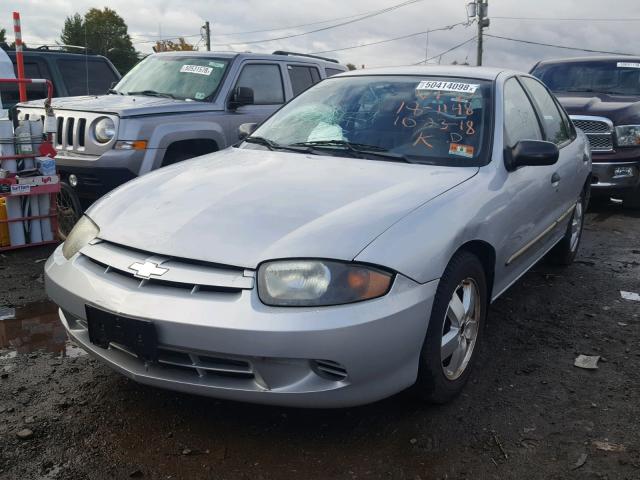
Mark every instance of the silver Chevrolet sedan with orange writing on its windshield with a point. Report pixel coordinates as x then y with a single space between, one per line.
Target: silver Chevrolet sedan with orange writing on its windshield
347 249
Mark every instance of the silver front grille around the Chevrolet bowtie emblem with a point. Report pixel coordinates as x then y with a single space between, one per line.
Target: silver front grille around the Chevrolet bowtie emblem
194 277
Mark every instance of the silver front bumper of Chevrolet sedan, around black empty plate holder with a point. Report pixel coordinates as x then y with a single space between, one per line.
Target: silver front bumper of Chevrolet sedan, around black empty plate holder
376 343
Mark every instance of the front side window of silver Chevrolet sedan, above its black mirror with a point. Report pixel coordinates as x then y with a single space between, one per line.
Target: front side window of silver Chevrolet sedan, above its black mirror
520 120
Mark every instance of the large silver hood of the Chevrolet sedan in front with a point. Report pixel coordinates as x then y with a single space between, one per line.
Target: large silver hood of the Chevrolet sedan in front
240 207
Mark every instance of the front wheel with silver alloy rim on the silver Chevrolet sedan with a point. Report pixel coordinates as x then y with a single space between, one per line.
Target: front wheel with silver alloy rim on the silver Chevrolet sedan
442 376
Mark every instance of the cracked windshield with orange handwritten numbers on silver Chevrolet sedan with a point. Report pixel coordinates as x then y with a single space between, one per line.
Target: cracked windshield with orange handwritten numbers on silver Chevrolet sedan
420 119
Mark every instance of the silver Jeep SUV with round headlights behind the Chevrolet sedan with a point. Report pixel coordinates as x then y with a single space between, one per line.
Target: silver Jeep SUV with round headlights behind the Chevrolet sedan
170 107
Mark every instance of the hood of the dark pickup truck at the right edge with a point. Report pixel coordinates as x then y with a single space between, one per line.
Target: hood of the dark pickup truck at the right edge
620 109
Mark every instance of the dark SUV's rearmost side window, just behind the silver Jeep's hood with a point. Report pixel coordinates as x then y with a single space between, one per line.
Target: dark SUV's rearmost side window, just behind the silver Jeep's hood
86 77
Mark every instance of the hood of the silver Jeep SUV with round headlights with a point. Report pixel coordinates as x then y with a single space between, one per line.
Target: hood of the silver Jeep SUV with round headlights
123 105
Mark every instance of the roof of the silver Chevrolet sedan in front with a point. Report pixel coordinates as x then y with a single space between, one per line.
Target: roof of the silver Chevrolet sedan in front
481 73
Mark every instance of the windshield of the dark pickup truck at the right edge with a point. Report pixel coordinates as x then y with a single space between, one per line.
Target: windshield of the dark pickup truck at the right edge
612 77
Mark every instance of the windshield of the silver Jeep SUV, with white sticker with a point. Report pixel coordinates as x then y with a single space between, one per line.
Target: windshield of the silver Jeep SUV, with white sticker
180 77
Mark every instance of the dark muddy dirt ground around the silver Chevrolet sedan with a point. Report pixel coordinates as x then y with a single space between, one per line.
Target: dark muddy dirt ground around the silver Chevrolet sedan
529 413
